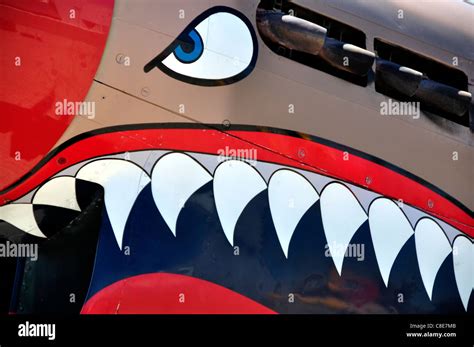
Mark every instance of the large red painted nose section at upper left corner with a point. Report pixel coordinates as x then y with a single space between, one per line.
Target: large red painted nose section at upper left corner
50 52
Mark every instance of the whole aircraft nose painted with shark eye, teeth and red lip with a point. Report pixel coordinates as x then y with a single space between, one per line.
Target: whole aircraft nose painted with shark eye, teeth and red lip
266 157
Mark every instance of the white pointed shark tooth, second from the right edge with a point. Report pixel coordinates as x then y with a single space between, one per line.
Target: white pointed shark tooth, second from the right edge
432 248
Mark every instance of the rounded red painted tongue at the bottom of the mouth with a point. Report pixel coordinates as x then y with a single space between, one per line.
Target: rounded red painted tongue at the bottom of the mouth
164 293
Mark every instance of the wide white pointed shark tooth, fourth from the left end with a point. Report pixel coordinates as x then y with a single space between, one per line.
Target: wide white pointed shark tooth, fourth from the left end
175 178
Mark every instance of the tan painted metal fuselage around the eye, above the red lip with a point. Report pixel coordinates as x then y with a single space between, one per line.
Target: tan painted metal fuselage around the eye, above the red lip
324 106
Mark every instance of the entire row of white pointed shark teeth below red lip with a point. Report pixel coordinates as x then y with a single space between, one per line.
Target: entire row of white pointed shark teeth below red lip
176 176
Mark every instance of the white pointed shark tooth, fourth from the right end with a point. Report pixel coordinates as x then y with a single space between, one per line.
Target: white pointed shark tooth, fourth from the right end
342 216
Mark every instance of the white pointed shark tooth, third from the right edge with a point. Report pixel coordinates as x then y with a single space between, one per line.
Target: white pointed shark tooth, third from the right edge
390 230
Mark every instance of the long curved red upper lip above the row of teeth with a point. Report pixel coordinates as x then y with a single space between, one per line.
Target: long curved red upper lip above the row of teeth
273 147
